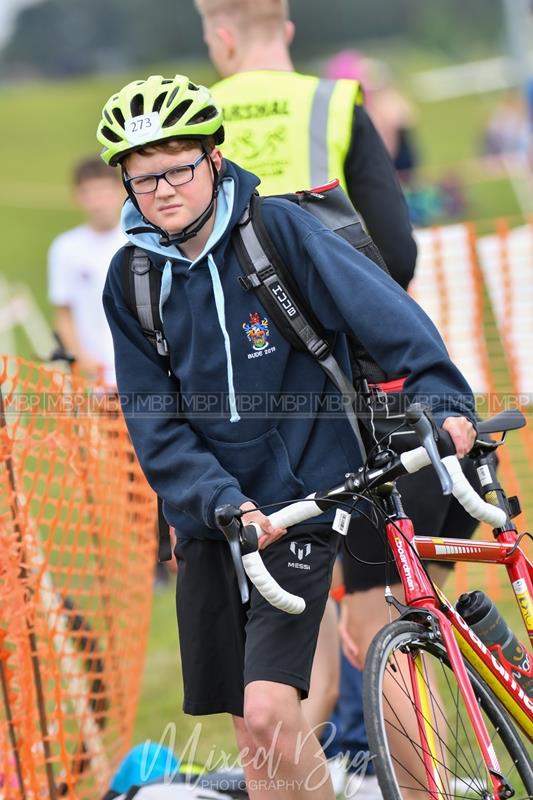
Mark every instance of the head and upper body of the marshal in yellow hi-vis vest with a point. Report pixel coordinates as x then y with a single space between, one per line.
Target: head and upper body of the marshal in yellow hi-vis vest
298 131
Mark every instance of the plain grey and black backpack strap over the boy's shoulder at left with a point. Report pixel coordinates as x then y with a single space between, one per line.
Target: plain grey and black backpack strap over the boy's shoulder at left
142 288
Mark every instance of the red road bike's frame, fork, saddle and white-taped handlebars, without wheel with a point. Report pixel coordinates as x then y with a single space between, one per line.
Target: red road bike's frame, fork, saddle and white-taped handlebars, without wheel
424 602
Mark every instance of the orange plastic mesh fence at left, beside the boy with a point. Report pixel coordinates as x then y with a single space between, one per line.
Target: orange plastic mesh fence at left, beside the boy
77 550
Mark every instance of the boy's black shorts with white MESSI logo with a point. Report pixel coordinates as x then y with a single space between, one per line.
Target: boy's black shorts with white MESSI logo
225 645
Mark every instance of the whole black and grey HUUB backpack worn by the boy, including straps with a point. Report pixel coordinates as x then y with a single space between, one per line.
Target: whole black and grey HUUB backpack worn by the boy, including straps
265 273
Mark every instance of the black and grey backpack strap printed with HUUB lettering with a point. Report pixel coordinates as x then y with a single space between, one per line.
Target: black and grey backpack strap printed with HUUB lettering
269 277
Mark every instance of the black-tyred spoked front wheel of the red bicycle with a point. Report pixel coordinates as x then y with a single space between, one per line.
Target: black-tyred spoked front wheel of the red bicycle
419 731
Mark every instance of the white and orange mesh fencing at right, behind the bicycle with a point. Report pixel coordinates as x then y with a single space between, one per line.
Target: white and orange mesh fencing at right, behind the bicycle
479 293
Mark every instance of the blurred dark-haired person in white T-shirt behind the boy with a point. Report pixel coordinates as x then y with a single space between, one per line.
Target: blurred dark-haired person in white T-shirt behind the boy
77 267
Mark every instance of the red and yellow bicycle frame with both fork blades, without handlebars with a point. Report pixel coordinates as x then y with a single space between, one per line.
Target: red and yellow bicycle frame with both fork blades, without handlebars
457 636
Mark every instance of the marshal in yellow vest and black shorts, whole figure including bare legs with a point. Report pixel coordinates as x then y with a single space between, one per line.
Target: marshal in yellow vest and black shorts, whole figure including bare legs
296 132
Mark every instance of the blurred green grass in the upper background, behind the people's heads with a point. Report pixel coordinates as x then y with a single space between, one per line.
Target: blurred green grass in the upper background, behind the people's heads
36 159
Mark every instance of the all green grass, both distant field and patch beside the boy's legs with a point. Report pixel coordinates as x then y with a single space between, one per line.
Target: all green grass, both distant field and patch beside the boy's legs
46 127
